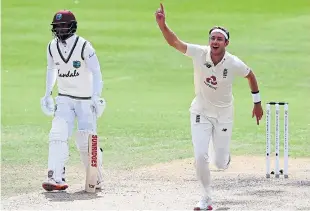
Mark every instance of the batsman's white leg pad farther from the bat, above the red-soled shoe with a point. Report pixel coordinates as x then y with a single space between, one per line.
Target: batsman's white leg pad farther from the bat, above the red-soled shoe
58 148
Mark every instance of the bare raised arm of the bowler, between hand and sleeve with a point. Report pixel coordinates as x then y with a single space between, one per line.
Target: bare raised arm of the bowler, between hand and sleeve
172 39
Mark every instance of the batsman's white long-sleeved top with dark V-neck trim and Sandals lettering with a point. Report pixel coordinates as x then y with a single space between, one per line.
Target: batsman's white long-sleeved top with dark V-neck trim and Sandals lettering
76 67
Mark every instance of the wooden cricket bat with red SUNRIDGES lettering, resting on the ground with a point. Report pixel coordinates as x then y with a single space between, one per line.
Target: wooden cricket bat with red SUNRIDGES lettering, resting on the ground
92 168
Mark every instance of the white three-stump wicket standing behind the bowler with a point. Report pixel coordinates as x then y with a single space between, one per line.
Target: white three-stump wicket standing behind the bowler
277 138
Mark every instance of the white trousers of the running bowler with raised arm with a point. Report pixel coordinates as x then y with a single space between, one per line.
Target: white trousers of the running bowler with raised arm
205 130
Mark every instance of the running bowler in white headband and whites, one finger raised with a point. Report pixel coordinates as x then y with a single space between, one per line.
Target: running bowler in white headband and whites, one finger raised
211 111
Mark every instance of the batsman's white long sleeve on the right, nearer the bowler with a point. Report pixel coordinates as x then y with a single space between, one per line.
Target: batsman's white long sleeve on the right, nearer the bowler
93 65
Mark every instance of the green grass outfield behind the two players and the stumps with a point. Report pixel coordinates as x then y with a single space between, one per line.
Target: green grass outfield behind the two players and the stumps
148 85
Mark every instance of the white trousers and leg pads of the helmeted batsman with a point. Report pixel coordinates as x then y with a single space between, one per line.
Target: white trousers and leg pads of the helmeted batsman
66 112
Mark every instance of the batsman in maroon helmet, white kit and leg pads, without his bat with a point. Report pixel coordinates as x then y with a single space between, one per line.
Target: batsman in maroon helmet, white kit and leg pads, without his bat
72 62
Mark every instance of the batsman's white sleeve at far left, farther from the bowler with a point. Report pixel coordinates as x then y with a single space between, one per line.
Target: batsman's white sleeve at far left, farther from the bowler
51 73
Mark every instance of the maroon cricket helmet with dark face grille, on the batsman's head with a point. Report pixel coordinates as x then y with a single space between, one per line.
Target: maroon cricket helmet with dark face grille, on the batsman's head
64 25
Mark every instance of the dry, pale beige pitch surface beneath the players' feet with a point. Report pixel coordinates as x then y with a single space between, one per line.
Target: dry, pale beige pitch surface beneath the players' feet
173 186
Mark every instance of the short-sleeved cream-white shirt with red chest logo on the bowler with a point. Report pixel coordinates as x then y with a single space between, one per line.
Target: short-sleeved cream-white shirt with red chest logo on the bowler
213 84
